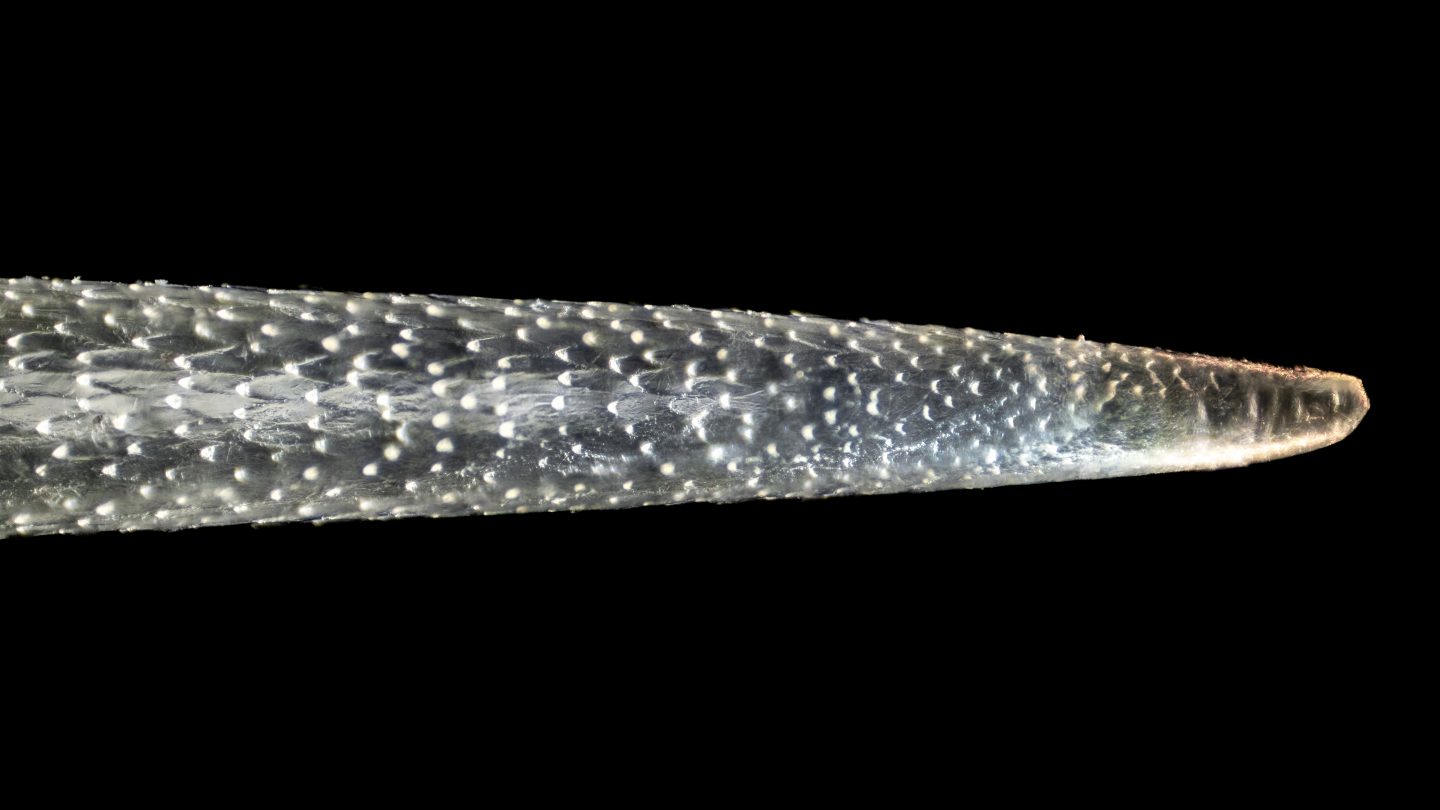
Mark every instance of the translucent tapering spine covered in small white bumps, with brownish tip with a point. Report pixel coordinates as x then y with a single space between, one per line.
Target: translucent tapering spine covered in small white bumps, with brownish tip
162 407
